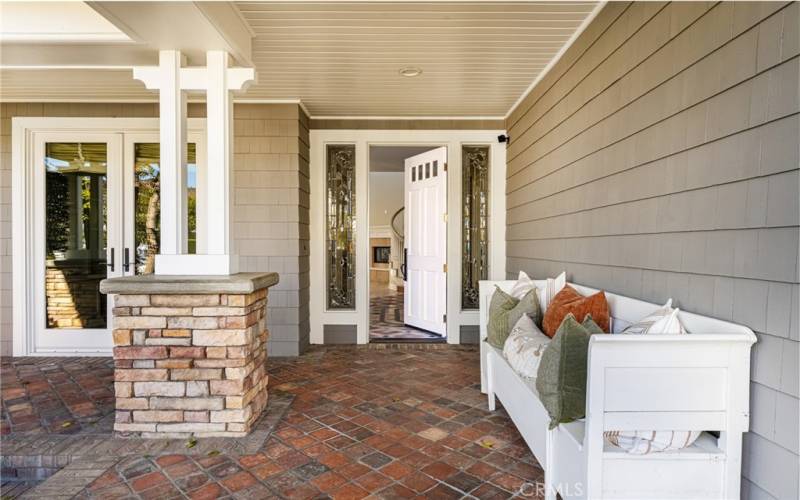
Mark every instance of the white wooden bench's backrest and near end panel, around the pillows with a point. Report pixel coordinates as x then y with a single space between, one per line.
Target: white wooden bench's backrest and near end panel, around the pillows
653 382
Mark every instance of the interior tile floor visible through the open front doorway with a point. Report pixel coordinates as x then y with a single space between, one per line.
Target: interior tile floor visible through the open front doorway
386 318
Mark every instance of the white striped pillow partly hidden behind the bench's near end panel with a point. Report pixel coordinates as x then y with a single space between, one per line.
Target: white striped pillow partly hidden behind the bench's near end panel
662 321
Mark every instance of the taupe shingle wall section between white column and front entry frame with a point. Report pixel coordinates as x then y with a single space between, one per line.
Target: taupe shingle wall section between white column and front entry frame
271 213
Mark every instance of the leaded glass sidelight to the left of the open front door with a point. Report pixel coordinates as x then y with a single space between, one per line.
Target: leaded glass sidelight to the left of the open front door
341 226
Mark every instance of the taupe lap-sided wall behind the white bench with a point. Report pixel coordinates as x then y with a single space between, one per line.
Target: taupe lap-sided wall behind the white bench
658 159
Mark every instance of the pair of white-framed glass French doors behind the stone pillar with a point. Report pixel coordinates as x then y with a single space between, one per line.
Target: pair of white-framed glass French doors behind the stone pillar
95 214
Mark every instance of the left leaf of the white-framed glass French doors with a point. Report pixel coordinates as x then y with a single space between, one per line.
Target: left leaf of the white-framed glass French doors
75 237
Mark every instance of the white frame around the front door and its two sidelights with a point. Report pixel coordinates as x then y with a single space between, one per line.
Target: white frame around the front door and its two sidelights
363 139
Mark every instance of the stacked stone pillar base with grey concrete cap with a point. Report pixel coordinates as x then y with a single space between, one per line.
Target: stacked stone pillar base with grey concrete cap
189 353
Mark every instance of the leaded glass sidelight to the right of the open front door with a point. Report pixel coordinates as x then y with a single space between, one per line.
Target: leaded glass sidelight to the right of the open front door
475 222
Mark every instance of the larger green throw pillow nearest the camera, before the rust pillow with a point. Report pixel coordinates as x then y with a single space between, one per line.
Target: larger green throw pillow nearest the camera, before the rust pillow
561 381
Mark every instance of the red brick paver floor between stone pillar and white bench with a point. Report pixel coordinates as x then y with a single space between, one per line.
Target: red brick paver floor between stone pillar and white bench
384 423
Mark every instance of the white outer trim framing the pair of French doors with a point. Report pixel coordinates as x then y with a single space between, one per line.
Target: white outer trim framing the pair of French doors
23 130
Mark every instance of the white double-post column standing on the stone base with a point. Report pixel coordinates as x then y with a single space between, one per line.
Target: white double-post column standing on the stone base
216 204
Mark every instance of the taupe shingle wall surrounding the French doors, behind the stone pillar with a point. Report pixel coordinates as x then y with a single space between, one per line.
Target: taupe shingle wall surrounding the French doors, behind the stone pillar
270 213
